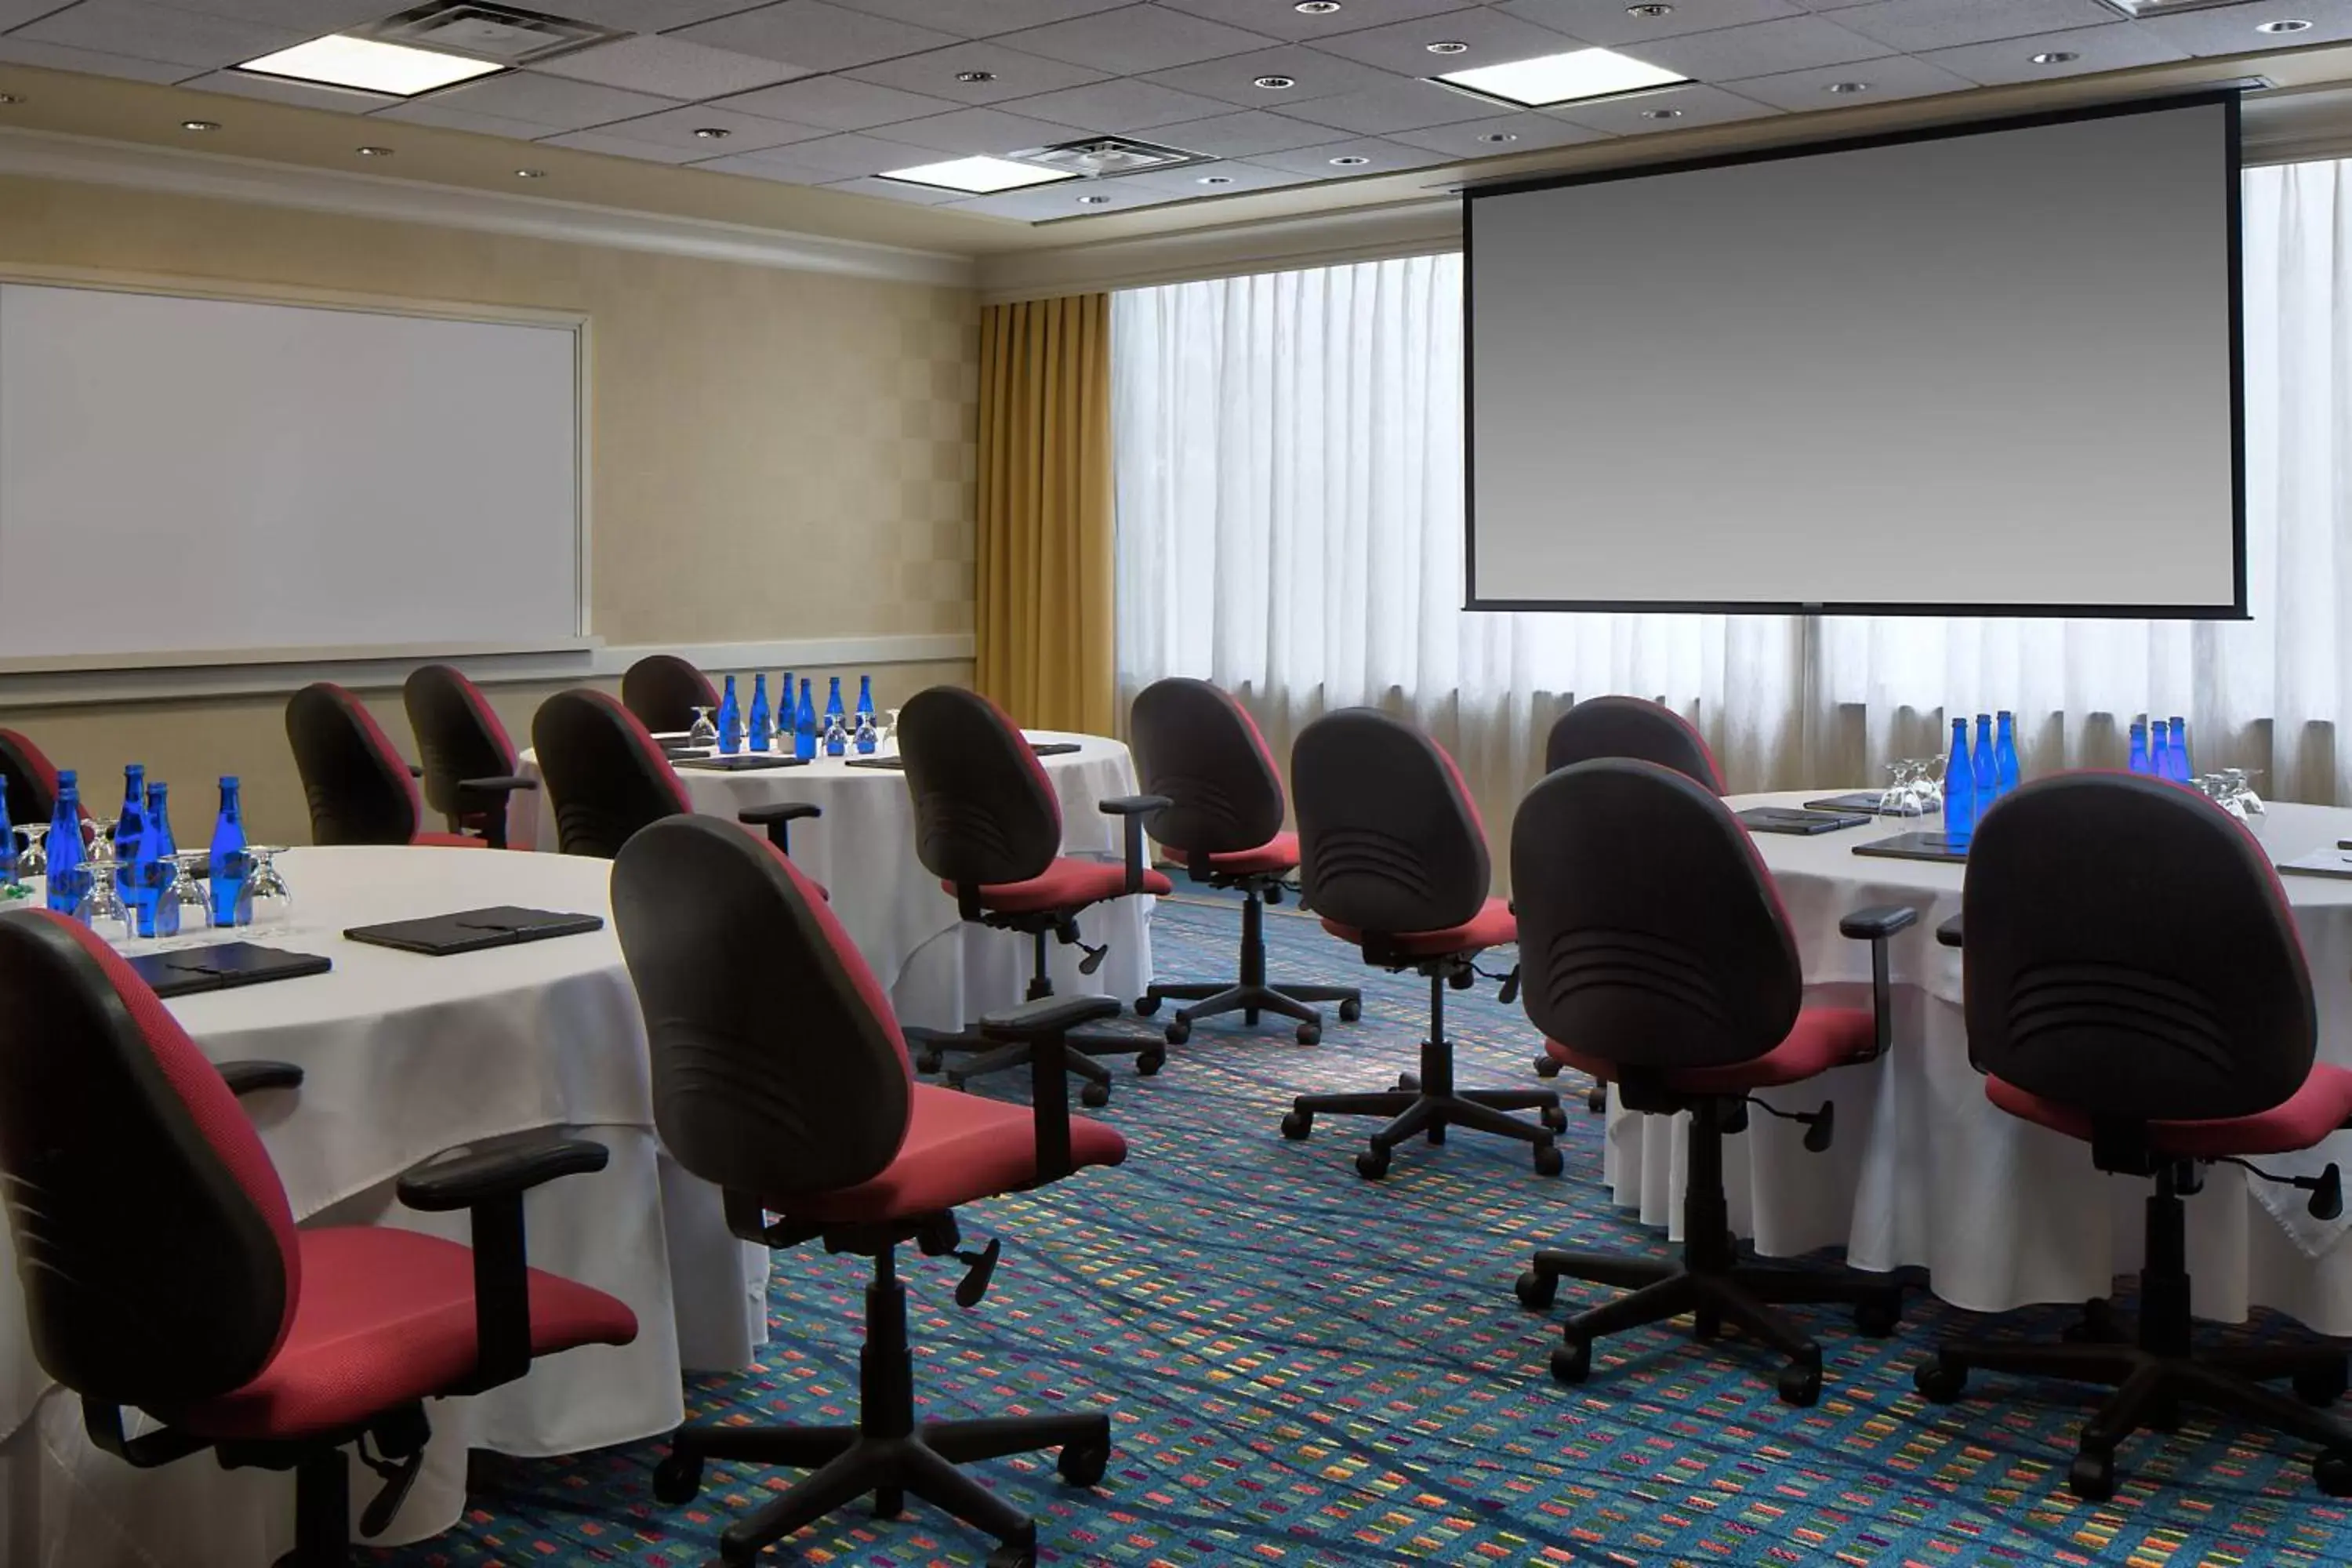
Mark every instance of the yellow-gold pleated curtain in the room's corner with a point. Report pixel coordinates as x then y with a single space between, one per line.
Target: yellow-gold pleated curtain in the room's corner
1045 582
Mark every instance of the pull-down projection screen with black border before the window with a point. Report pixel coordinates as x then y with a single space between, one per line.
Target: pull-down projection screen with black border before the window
1965 373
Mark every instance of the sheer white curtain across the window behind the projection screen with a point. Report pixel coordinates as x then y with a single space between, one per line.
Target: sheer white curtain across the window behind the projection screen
1290 481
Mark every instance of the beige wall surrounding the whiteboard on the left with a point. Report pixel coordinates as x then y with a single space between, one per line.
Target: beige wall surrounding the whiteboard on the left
773 455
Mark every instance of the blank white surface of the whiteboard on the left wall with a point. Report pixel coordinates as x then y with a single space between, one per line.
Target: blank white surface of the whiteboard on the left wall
187 476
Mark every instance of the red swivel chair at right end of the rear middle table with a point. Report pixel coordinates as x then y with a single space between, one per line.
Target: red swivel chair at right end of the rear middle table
1203 753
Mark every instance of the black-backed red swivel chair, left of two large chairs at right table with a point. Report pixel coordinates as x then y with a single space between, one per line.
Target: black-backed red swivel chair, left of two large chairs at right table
1657 956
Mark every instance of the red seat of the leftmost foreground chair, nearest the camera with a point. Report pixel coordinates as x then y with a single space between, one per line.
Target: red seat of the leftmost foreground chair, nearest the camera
387 1320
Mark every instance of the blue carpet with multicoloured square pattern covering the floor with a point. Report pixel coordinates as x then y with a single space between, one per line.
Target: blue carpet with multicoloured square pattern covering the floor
1311 1369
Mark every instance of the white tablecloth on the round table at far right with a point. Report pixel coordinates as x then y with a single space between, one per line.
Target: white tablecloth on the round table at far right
1927 1172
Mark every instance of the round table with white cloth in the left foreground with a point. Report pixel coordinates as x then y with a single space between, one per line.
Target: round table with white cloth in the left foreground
403 1057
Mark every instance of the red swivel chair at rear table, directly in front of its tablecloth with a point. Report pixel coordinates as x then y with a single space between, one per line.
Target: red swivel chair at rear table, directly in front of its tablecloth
989 826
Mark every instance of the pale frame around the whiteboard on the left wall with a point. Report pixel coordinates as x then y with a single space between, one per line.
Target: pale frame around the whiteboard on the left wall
171 286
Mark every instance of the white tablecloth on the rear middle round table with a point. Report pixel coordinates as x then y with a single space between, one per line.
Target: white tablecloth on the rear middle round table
940 970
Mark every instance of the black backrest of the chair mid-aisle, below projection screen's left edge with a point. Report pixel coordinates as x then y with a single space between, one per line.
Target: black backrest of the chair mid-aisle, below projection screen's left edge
1389 838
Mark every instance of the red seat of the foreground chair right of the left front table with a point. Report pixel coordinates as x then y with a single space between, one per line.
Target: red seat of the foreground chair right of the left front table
958 1151
